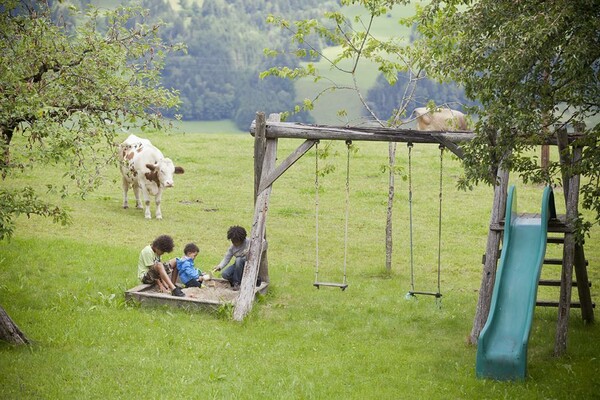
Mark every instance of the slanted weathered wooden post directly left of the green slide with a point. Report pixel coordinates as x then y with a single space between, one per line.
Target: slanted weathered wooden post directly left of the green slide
492 254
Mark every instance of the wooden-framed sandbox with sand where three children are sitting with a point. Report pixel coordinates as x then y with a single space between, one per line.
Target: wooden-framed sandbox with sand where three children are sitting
212 295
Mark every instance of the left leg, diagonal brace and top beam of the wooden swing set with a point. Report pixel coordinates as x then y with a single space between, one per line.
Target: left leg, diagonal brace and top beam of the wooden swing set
266 172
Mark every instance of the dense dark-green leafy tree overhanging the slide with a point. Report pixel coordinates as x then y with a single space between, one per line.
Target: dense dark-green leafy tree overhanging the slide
532 65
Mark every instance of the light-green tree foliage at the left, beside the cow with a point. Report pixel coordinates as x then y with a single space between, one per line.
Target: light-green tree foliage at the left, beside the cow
66 90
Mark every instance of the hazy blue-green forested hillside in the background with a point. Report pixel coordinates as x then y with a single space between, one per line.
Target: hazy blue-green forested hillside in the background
218 77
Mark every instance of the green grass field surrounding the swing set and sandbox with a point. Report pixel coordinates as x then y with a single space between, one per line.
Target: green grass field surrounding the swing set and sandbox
64 287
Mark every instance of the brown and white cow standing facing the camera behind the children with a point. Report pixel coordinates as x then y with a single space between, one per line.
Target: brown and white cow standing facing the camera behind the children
145 168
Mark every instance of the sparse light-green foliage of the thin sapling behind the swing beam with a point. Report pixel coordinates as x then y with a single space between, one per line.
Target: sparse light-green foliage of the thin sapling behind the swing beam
357 45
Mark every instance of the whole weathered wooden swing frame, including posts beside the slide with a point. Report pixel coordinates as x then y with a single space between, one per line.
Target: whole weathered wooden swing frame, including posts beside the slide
266 172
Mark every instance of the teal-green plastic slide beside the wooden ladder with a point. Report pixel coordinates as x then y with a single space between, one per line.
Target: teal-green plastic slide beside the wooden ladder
502 344
